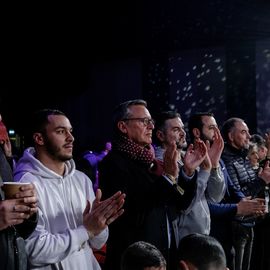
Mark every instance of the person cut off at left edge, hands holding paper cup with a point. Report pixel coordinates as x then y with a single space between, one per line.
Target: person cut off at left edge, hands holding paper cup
18 218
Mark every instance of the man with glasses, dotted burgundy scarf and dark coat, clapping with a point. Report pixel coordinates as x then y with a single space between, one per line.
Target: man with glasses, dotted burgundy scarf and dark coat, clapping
153 196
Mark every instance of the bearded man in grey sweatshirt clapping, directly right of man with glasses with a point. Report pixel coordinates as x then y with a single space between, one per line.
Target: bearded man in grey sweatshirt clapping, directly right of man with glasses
210 182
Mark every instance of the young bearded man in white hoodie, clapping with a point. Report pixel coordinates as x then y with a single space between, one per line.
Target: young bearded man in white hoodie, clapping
72 220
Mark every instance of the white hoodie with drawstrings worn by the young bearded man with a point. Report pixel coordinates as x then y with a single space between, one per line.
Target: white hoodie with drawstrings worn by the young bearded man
60 241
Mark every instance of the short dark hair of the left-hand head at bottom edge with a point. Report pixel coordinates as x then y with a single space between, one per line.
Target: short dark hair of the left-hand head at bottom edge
140 255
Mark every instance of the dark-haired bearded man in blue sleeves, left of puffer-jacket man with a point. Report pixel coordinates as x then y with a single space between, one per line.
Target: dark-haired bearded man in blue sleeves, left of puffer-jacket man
203 125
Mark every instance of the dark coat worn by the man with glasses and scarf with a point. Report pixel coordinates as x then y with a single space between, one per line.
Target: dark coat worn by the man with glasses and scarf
151 202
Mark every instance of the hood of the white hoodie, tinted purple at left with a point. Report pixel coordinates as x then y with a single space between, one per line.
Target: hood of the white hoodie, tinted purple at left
29 164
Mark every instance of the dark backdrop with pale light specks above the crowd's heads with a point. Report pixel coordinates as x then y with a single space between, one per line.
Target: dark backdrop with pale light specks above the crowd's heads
184 55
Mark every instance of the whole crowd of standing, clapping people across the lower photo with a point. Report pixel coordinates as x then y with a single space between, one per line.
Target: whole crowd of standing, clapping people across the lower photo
156 200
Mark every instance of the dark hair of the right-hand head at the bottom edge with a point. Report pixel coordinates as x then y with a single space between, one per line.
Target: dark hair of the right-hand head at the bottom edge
202 250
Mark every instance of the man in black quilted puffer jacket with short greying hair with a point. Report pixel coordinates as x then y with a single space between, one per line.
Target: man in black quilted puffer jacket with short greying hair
236 136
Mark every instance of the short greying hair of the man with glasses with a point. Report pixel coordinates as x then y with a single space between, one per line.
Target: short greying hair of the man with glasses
122 111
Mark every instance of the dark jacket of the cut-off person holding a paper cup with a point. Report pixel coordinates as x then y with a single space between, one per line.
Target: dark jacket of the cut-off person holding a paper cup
13 255
